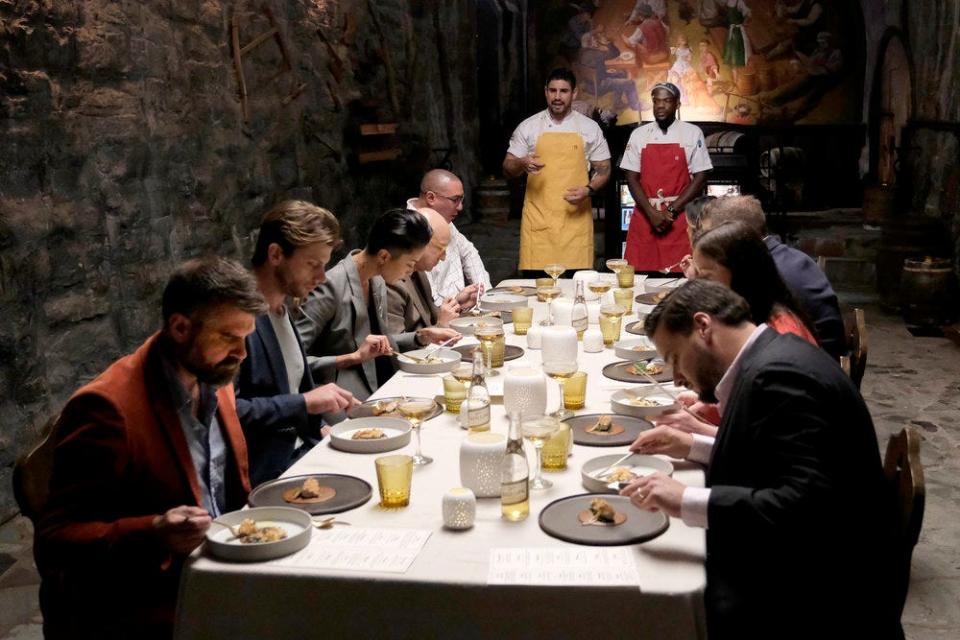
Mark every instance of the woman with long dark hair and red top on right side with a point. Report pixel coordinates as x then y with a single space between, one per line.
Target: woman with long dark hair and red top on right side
734 255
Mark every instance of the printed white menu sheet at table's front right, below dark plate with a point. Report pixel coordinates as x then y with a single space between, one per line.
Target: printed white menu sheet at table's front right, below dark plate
552 566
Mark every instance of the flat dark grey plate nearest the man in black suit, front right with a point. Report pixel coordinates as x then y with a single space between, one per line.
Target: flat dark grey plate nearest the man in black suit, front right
559 519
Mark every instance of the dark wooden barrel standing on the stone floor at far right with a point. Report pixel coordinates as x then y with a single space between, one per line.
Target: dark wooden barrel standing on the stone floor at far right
929 292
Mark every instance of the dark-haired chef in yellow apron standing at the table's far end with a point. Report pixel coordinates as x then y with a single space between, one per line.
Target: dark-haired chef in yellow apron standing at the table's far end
556 148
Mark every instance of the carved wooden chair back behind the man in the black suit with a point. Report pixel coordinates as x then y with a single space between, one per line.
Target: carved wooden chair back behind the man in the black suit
904 473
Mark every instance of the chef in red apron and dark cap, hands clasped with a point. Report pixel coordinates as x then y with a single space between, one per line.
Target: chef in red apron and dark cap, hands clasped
666 163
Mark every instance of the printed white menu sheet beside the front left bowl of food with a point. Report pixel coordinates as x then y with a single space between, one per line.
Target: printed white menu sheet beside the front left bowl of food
360 549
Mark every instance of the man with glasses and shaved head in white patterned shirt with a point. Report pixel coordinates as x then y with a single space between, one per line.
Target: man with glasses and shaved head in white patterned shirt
461 273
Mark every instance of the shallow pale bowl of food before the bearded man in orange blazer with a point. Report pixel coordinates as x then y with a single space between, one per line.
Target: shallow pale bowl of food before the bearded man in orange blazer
296 522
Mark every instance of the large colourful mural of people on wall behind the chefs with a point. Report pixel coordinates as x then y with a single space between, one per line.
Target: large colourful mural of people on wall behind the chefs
738 61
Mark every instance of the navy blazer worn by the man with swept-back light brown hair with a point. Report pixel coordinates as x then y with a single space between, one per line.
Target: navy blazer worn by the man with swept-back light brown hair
272 415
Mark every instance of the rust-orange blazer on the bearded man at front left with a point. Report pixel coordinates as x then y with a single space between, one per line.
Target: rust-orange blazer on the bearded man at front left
121 459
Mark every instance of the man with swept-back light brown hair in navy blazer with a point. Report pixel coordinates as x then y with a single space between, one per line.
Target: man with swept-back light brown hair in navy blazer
277 402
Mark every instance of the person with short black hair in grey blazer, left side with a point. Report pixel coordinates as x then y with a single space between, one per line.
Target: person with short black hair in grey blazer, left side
342 322
